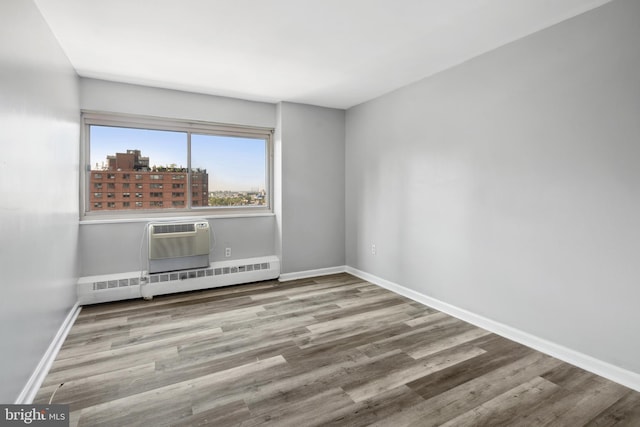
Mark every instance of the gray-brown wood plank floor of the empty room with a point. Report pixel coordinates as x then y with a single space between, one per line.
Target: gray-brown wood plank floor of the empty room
332 350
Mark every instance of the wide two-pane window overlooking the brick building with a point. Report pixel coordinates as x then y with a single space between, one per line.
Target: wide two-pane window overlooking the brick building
223 168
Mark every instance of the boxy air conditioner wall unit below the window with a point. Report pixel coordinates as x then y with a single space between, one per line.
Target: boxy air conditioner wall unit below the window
178 246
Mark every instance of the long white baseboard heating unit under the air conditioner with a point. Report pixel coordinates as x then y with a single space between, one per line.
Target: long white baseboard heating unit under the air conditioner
116 287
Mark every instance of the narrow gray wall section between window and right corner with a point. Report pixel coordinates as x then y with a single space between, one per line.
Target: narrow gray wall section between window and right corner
310 182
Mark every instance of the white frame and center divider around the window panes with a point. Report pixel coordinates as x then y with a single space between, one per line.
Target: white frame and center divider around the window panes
91 118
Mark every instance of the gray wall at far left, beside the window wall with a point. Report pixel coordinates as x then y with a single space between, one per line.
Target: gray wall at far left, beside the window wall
39 131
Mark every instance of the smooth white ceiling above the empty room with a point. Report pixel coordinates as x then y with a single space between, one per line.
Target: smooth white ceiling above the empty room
334 53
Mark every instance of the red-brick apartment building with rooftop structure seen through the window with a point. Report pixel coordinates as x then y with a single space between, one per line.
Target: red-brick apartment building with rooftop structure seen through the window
127 182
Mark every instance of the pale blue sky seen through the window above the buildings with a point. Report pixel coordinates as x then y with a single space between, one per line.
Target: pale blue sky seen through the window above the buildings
233 163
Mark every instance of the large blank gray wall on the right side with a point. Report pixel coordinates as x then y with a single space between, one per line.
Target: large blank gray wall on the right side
508 185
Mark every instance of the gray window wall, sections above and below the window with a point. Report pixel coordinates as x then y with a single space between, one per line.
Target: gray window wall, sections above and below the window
114 247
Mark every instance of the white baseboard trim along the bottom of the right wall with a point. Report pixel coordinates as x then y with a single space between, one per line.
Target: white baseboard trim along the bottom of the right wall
604 369
